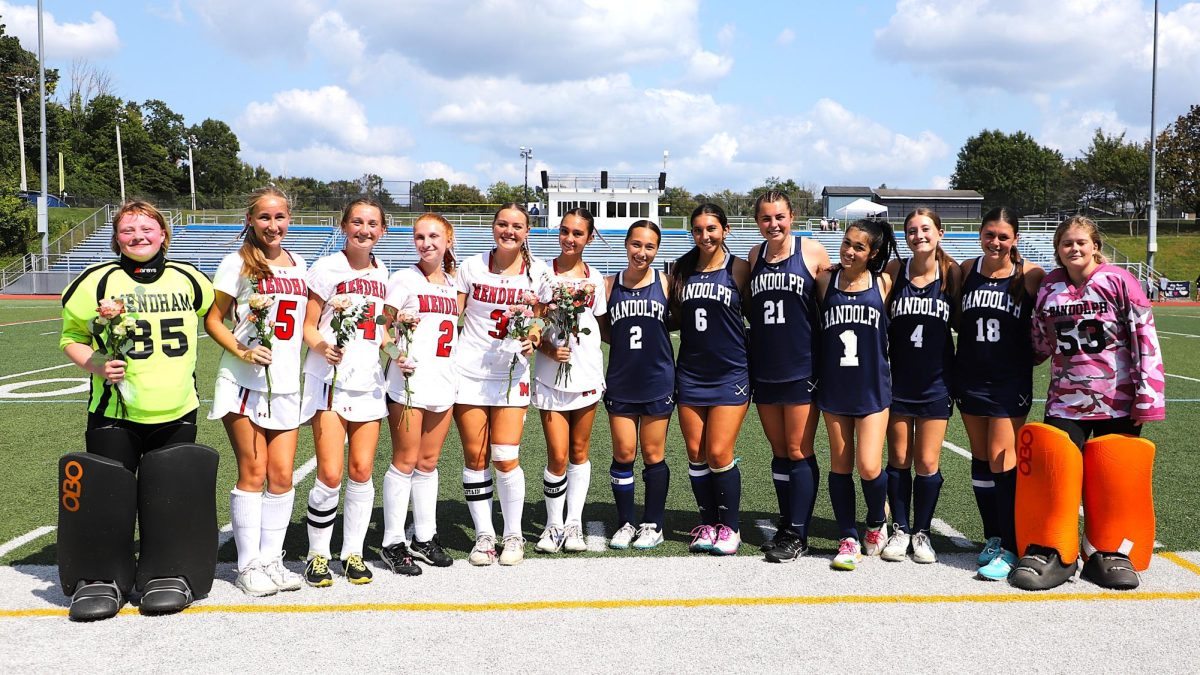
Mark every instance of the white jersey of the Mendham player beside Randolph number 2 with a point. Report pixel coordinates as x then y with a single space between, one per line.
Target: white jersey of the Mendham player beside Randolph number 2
587 360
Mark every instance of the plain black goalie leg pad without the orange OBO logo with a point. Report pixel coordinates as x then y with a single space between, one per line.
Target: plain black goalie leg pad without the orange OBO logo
178 516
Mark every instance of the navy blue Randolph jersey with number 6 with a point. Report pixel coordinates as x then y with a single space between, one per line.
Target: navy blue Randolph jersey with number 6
712 333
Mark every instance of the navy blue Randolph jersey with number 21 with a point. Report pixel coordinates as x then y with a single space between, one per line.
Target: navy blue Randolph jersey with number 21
783 313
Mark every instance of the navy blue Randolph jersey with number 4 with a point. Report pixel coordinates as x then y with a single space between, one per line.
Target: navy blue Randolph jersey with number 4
920 344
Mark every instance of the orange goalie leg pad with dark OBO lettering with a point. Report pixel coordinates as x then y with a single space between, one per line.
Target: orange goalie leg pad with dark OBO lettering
1049 486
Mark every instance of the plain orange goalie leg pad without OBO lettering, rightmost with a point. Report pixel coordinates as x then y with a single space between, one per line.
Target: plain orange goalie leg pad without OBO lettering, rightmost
1119 501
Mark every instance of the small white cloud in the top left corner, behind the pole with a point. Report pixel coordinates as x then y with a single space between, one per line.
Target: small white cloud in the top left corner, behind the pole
94 39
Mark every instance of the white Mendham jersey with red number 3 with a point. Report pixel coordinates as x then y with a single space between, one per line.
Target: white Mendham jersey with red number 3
484 351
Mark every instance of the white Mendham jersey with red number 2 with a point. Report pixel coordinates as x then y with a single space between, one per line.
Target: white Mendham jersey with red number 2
434 341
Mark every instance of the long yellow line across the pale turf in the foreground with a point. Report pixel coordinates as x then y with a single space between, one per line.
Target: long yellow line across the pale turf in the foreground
541 606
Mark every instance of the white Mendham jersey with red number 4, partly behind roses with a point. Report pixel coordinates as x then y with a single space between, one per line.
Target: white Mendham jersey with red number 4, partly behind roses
331 277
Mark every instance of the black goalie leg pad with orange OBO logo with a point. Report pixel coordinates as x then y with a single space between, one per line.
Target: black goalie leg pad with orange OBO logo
98 507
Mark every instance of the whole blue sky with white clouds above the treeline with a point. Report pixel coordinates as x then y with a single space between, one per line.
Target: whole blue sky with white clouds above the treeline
823 93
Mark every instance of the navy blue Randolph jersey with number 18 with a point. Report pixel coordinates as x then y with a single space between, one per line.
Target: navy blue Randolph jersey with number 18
995 345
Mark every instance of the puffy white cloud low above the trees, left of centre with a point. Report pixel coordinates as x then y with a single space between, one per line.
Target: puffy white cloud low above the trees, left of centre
327 117
